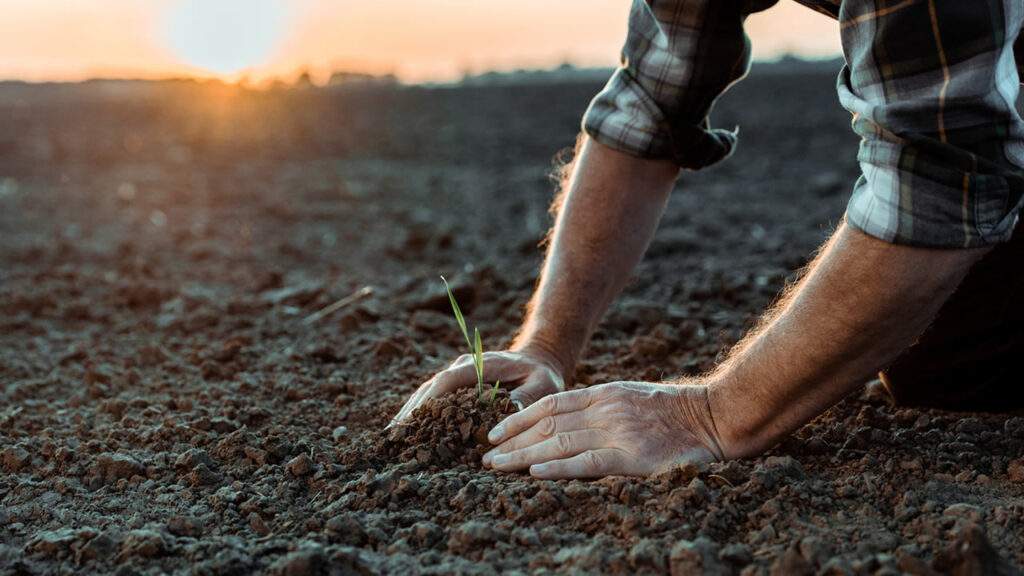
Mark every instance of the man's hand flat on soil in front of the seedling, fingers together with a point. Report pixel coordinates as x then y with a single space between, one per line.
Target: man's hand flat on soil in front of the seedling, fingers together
632 429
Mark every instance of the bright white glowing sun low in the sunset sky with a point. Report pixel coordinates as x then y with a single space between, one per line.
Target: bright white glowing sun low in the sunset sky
226 36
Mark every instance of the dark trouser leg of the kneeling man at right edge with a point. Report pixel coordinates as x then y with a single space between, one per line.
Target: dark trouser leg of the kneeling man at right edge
971 359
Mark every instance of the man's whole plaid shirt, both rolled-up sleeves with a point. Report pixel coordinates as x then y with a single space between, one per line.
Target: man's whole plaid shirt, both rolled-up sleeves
931 86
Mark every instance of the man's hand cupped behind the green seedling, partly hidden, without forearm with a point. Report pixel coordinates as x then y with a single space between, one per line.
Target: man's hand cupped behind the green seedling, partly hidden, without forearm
532 375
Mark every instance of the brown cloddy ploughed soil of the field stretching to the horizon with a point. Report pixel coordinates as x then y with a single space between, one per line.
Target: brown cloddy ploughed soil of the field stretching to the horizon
169 404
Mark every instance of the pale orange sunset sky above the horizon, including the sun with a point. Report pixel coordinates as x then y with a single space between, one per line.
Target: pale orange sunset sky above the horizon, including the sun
418 40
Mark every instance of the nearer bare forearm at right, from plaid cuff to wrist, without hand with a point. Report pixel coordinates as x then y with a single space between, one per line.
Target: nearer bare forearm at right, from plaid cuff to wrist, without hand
862 304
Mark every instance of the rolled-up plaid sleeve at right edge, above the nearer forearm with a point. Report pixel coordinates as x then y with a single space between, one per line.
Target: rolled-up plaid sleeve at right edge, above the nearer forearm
932 87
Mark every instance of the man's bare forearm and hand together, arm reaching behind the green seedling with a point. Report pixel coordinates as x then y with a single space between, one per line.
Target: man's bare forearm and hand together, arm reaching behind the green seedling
608 217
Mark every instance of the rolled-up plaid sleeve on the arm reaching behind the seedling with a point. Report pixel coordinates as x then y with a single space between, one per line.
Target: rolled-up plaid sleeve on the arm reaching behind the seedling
679 57
